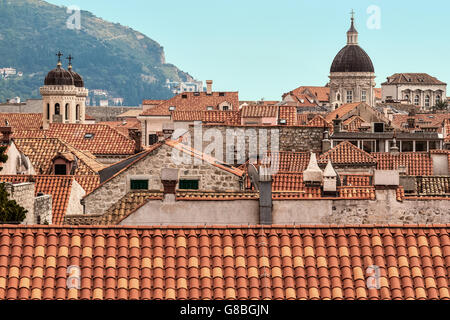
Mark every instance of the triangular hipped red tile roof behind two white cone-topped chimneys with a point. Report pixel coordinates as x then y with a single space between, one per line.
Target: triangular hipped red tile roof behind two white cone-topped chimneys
348 154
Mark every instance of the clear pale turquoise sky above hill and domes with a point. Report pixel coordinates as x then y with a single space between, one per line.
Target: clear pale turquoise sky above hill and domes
265 48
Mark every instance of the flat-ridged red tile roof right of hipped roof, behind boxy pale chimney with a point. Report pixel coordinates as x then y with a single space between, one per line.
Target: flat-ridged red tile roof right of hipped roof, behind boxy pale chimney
416 163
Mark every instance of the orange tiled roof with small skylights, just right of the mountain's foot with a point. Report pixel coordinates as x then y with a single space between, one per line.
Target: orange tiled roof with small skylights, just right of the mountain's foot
194 101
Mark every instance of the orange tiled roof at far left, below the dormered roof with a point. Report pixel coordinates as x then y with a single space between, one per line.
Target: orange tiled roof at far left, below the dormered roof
59 187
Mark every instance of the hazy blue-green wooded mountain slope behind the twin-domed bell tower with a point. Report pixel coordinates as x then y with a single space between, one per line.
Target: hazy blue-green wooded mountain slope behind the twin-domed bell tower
109 56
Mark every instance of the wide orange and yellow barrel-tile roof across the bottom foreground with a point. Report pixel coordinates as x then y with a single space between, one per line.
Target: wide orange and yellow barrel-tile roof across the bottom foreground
279 262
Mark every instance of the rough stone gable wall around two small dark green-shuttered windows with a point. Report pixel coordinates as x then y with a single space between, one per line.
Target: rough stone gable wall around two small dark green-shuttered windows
211 179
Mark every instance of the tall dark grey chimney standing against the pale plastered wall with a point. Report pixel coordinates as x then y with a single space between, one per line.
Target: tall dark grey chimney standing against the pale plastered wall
265 196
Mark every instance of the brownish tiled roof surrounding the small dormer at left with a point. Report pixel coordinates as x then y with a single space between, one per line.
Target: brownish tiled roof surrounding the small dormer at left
41 152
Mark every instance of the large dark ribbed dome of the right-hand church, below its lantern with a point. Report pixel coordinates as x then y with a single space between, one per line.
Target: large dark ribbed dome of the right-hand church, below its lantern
352 58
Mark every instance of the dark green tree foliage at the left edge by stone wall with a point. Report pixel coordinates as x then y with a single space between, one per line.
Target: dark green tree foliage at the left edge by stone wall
10 211
